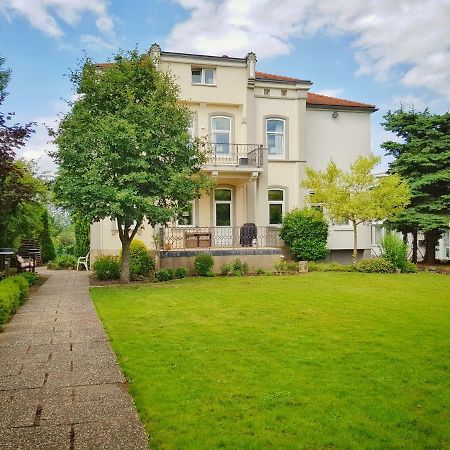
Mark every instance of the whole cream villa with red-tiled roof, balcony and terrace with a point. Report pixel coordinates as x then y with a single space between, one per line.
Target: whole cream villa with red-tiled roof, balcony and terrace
264 129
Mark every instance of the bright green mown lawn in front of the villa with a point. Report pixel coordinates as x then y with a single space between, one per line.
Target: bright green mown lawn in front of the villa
324 360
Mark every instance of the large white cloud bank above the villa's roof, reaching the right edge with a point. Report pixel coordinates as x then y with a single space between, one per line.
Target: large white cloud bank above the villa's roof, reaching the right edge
410 37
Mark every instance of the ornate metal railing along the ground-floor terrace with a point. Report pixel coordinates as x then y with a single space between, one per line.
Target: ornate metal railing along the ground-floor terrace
190 238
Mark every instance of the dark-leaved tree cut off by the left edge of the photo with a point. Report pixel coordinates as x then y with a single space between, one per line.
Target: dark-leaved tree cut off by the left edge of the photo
20 190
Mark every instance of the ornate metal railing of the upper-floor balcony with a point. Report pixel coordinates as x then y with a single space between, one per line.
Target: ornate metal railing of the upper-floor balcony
238 155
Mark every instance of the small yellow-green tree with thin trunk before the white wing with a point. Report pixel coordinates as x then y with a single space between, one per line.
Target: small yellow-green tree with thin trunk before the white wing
357 195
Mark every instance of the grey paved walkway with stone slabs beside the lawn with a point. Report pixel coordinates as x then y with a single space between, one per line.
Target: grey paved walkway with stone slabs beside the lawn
60 386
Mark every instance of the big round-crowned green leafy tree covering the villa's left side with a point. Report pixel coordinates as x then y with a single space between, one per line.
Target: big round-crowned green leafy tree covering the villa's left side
124 150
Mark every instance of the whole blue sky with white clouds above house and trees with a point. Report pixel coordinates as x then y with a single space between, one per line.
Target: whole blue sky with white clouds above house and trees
384 52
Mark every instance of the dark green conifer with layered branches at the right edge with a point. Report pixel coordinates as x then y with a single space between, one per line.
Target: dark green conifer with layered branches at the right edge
423 159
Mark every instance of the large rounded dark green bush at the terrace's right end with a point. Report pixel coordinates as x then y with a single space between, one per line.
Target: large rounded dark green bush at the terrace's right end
305 232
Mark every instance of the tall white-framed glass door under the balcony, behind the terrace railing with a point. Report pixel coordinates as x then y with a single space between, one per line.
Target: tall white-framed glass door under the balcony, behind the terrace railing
223 217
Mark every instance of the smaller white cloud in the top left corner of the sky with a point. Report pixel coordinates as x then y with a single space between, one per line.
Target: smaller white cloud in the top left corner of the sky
46 15
